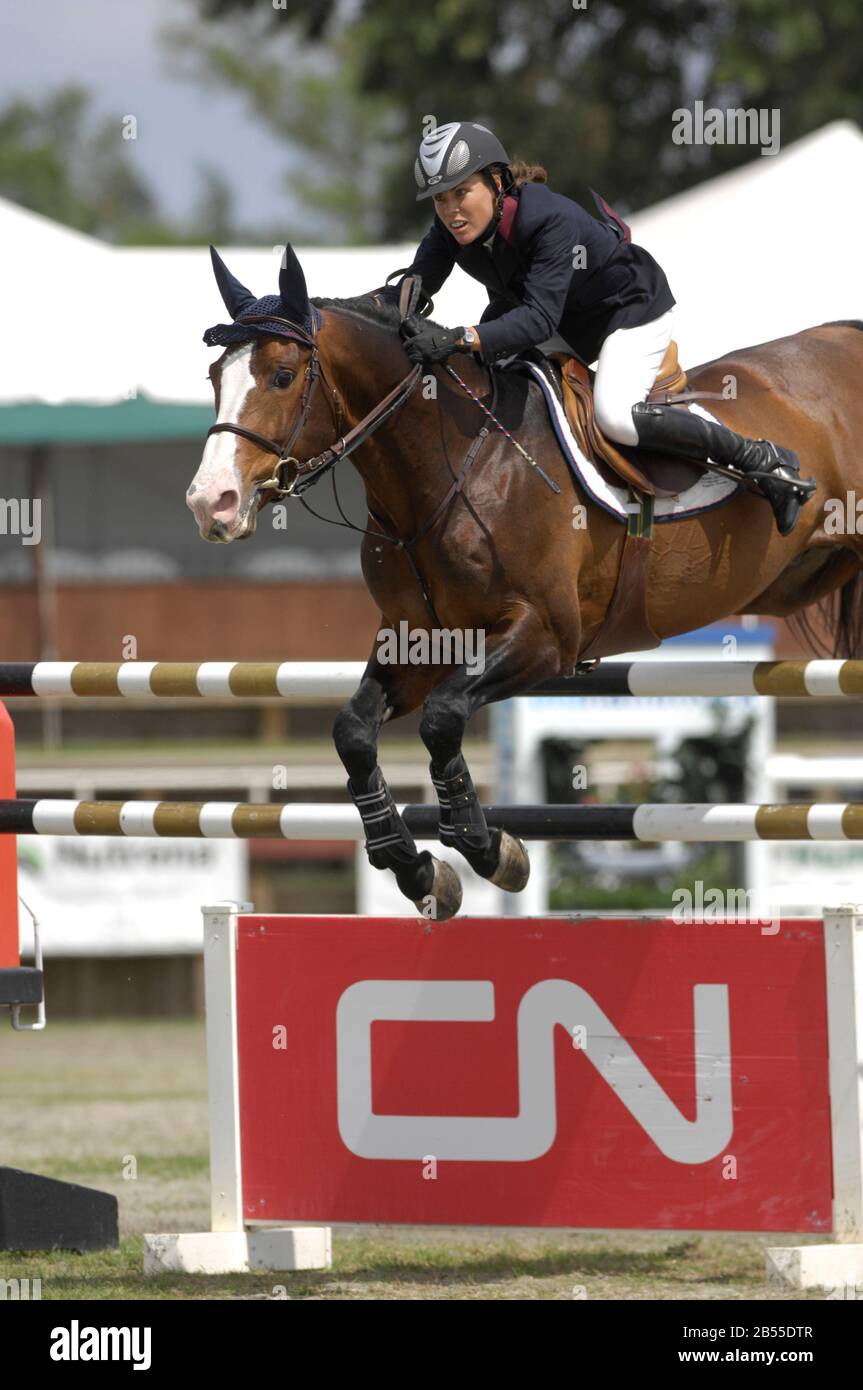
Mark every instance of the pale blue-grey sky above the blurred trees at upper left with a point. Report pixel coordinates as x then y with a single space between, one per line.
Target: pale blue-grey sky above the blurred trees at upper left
110 47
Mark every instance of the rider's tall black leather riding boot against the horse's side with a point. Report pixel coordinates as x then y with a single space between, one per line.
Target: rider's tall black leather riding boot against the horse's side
676 430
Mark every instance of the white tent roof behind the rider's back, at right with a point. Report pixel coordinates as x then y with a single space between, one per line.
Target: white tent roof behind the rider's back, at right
765 251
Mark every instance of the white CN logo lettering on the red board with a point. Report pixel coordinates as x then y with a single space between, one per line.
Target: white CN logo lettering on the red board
530 1134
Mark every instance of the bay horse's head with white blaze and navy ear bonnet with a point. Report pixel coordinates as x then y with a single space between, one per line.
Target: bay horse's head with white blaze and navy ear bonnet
266 400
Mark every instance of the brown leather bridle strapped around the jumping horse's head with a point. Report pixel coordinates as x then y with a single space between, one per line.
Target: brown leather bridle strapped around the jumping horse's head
312 471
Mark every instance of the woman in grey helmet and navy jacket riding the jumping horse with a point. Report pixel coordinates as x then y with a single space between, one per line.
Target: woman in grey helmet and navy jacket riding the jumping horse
564 281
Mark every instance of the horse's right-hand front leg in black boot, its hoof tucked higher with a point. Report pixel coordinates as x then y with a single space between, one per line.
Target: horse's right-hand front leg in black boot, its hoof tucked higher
518 657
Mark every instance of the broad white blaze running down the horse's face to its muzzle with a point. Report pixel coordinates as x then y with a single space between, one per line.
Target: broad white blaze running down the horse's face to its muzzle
216 493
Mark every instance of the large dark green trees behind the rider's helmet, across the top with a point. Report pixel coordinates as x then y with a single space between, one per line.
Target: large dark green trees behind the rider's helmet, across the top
590 92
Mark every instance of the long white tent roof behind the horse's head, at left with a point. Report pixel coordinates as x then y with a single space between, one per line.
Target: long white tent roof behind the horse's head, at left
97 325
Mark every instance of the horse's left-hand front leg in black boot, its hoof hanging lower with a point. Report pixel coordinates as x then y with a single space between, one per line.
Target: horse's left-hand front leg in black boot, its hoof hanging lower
387 693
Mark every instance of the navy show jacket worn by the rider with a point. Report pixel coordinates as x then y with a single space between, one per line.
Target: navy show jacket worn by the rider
533 286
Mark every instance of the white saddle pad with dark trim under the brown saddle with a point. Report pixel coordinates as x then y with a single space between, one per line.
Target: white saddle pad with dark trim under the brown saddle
704 496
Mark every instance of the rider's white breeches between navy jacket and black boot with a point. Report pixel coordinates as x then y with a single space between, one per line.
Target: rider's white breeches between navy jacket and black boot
626 370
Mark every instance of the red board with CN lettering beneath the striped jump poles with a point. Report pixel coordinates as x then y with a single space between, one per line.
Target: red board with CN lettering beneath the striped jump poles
534 1072
